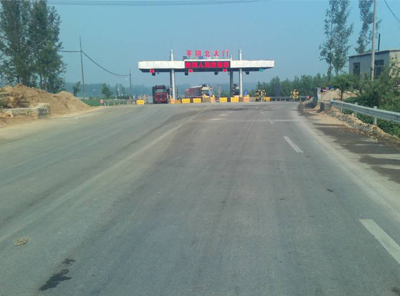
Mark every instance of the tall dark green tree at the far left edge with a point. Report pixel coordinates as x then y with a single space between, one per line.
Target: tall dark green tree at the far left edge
16 64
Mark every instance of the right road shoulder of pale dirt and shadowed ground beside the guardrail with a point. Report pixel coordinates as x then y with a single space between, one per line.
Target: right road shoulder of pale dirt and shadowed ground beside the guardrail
375 164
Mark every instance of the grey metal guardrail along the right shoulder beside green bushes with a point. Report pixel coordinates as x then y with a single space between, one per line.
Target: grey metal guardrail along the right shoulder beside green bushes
373 112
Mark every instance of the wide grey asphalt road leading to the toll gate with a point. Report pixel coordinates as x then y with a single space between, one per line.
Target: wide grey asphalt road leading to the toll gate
227 199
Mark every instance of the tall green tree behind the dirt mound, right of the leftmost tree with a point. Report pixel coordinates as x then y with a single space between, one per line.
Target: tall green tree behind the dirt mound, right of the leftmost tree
44 31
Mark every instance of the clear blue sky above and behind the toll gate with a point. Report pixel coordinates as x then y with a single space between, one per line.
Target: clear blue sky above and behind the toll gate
288 32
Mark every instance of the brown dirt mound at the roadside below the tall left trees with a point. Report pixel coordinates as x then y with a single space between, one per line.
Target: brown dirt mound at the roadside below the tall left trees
21 96
